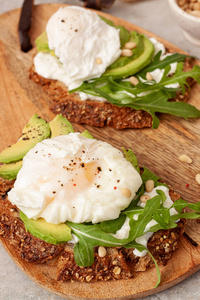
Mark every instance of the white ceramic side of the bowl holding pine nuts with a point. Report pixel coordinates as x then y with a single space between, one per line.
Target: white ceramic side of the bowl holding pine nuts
189 23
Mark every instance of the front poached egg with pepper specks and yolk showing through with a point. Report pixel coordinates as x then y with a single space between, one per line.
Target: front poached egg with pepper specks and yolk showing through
74 178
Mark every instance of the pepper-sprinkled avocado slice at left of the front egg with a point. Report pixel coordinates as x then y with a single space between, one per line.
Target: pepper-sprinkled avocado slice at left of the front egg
34 132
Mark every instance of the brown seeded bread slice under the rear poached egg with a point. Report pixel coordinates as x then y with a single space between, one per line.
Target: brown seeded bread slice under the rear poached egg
96 113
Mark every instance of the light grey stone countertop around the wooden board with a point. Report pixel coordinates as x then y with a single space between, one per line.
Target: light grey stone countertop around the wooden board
155 16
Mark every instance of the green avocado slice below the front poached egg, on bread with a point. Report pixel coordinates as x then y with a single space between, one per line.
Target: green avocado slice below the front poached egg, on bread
50 233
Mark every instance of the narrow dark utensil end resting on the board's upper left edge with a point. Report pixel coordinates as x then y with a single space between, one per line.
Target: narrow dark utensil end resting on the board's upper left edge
25 25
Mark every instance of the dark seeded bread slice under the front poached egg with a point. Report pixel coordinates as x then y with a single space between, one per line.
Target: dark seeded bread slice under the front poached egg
118 263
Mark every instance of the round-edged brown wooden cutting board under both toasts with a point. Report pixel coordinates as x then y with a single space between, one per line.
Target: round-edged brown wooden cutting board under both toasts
157 149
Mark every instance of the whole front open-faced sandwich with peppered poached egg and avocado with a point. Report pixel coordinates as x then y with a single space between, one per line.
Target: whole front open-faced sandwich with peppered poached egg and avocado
69 197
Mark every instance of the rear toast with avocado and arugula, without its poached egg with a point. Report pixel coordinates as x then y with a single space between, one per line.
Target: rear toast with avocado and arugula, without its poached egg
132 98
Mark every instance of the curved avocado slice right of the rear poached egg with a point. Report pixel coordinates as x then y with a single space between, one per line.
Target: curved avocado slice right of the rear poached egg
134 65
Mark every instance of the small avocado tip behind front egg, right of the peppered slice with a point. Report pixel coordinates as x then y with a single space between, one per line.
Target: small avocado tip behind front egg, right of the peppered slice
60 126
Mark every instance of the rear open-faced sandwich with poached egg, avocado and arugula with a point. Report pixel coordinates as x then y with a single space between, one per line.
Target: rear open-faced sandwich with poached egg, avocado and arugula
98 73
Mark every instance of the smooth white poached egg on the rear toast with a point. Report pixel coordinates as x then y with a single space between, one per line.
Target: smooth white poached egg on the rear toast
84 46
